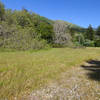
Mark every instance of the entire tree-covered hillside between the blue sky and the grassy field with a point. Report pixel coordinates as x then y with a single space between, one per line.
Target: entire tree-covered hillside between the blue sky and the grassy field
25 30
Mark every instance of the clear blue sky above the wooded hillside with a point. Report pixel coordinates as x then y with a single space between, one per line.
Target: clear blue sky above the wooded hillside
80 12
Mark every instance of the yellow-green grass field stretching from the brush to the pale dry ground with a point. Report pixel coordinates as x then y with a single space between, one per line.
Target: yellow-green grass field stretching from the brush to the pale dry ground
23 72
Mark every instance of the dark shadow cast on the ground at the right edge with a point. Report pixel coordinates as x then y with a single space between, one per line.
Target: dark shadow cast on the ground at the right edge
93 69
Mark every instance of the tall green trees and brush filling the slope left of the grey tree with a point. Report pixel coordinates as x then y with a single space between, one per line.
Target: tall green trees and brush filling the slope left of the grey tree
24 30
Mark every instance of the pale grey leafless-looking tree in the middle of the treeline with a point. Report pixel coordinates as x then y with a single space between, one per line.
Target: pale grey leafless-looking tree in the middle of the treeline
61 36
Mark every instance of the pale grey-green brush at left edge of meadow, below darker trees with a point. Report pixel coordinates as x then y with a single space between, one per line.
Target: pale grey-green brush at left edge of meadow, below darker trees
16 37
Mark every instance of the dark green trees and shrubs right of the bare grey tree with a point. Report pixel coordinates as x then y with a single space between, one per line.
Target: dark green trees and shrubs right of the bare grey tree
90 37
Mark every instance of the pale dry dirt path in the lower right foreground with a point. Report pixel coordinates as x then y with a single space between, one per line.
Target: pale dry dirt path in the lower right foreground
75 84
